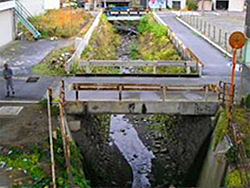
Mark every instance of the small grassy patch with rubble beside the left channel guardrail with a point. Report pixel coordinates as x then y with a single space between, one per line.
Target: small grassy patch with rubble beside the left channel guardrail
53 65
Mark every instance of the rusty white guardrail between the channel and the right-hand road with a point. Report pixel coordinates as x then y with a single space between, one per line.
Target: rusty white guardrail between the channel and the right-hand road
182 49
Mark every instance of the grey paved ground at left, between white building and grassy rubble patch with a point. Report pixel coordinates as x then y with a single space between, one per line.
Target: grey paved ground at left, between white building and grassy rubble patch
23 55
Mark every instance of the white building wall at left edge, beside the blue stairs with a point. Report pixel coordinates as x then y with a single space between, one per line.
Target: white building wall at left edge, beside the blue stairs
7 26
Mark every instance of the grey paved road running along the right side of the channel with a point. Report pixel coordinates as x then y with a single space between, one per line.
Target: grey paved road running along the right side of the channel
215 63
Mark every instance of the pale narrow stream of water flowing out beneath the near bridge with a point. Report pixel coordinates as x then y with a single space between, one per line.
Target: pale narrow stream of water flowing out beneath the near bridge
125 137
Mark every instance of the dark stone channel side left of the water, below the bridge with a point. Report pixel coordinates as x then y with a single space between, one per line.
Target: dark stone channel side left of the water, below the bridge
105 166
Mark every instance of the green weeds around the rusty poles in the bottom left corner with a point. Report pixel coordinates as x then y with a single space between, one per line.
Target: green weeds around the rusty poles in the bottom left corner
33 165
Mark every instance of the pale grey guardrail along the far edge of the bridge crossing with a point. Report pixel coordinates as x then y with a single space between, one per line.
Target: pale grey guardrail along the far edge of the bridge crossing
88 65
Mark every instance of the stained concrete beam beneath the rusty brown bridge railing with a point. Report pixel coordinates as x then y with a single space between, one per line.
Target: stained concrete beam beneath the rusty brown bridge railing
140 107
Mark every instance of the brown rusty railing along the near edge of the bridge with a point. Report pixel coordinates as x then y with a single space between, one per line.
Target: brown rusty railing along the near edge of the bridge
204 89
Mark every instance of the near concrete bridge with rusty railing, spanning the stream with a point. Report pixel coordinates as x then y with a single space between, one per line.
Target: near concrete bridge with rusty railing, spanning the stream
128 98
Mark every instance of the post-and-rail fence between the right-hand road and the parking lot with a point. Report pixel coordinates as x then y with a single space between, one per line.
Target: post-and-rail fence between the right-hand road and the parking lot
214 33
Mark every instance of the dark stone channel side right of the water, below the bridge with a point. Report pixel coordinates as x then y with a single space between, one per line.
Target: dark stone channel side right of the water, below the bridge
176 146
